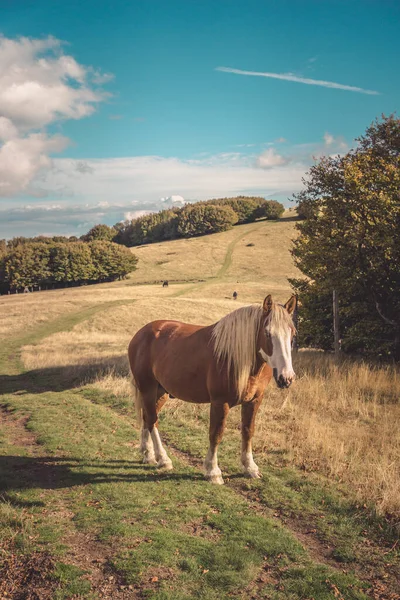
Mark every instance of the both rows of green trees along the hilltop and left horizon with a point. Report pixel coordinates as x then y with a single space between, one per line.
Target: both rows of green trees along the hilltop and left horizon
101 255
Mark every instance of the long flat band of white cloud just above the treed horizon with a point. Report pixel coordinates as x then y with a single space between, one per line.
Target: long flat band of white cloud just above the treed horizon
83 193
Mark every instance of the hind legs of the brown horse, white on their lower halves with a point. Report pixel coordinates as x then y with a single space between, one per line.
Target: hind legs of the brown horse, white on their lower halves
150 432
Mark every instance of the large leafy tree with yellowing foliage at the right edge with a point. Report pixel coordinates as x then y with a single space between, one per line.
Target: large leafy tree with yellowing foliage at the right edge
350 239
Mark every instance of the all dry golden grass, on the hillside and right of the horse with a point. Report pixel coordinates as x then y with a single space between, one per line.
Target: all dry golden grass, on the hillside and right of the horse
340 420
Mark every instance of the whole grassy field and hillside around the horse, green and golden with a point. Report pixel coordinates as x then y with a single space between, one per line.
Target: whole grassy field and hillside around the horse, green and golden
81 517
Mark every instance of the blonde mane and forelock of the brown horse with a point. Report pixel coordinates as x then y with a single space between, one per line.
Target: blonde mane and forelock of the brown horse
235 338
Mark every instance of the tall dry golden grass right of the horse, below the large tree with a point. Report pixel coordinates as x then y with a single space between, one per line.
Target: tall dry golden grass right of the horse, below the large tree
341 420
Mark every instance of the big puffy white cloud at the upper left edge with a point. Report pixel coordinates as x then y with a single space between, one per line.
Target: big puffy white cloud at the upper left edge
39 85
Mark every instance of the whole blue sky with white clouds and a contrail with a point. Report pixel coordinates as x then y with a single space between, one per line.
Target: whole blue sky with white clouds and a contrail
111 109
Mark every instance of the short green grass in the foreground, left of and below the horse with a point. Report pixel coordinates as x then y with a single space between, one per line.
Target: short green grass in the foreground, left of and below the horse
85 466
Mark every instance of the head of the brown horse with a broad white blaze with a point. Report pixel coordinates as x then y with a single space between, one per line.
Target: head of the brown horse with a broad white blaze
276 339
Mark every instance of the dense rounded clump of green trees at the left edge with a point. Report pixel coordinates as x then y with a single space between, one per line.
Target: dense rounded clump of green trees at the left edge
44 263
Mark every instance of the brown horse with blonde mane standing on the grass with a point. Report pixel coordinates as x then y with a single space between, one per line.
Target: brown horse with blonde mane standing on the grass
224 364
